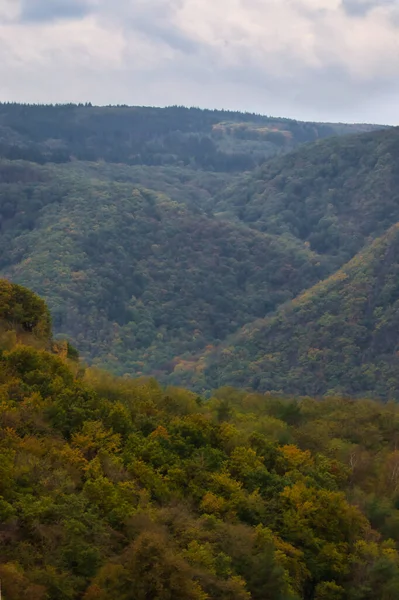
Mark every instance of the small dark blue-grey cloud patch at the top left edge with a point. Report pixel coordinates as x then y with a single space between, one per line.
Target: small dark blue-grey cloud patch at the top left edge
52 10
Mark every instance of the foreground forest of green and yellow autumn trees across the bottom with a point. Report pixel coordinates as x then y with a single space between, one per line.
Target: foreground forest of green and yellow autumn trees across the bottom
120 488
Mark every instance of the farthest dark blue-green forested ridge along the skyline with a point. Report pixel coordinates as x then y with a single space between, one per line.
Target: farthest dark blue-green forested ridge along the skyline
208 139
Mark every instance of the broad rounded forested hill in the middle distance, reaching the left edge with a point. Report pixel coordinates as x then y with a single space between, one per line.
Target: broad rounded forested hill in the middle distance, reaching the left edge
133 277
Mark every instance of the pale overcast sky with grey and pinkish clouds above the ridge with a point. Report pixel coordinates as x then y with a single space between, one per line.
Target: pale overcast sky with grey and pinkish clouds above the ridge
325 60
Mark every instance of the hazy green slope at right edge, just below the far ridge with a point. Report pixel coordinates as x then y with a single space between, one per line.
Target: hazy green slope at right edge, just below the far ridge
333 194
